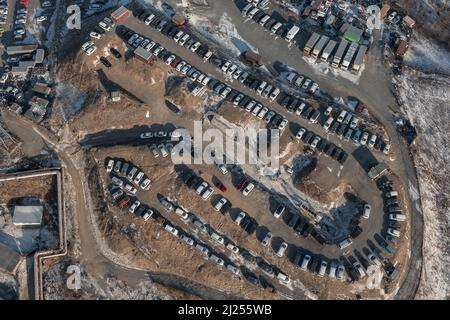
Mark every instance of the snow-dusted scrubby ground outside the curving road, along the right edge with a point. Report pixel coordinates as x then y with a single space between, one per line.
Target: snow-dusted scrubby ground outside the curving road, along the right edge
427 99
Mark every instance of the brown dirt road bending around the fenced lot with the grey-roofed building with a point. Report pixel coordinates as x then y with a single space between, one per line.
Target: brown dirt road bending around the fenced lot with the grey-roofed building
92 258
